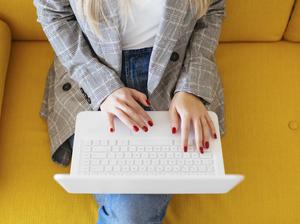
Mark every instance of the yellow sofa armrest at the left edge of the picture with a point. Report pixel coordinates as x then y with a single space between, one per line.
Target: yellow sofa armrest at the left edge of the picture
5 39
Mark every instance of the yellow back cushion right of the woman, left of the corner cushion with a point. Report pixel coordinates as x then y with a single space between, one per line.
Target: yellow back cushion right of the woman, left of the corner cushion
256 20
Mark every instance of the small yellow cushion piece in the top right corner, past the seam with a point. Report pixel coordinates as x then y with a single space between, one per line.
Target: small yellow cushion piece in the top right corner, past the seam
293 30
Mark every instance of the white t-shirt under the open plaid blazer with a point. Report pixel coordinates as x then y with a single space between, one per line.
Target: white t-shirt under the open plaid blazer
141 32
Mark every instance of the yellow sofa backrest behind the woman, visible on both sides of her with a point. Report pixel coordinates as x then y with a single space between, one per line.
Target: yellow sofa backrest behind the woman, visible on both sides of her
246 20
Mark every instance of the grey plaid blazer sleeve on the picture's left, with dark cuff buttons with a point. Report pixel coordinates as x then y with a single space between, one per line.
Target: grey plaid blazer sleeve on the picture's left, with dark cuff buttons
72 49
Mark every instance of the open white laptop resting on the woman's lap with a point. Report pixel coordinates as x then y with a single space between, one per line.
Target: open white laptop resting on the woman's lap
150 162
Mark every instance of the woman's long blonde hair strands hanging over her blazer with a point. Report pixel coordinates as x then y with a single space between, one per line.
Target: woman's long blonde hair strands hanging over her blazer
92 11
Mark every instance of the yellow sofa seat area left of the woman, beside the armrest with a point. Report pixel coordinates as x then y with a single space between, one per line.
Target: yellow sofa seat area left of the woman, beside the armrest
29 194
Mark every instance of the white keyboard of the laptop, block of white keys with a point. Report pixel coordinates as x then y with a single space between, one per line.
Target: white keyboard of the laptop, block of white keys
143 157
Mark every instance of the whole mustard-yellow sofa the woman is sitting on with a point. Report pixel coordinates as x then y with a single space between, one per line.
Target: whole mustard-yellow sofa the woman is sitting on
259 62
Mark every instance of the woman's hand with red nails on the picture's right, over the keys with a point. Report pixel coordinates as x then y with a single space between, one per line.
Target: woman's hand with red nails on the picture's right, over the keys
189 108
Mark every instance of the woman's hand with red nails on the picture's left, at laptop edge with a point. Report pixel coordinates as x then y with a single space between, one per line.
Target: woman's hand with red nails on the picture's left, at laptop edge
123 103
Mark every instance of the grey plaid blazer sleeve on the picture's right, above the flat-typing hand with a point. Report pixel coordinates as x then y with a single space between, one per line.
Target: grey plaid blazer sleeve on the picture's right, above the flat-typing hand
199 74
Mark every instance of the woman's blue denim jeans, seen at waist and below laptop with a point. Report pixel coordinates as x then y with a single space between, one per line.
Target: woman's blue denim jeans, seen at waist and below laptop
132 208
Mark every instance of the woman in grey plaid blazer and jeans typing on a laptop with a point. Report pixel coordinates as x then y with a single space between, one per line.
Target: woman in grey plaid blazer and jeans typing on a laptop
124 57
